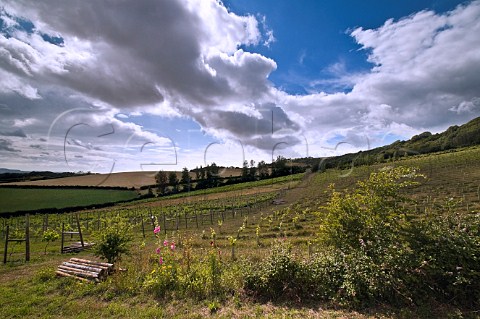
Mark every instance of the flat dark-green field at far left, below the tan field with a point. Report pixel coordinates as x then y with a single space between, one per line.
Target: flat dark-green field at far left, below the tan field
17 199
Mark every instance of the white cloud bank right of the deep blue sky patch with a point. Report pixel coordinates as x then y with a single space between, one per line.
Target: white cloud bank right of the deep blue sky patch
425 77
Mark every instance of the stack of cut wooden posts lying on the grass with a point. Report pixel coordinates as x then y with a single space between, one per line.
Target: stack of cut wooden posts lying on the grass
84 270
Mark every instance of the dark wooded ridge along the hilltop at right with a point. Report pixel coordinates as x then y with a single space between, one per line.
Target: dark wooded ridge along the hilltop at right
453 138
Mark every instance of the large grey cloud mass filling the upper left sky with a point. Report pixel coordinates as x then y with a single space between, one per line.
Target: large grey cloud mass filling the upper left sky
150 57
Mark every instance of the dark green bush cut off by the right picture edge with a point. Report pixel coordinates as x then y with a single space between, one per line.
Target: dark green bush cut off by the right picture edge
448 256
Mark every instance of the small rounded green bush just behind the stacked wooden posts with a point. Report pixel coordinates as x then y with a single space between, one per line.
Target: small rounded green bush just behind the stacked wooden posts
113 241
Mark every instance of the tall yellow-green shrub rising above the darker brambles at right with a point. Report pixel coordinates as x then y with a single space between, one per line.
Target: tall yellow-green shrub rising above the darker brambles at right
372 213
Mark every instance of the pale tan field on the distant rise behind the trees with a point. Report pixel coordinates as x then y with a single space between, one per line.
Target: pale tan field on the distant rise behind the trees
124 179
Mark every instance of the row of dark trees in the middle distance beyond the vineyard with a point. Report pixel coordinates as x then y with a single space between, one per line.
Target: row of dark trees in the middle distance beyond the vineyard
209 176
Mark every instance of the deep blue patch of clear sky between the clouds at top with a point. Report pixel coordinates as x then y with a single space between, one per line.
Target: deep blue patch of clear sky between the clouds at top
312 36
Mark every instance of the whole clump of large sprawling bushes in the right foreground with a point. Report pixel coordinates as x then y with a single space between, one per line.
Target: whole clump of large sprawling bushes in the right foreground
375 254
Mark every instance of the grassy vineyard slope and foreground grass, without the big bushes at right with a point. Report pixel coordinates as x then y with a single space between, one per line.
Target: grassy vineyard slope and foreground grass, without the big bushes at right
222 238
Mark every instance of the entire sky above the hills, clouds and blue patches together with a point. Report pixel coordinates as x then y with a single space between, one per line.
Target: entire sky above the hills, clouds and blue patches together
109 86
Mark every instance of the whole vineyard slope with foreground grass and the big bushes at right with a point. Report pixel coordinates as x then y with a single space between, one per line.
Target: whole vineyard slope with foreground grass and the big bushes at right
261 249
